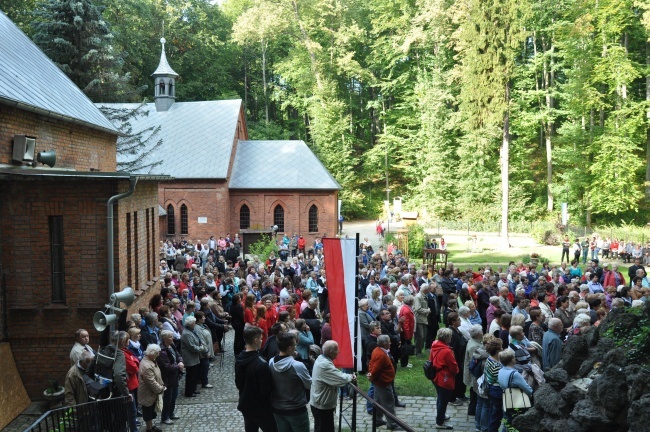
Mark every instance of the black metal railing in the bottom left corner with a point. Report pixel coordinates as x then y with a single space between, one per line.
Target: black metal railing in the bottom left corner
99 416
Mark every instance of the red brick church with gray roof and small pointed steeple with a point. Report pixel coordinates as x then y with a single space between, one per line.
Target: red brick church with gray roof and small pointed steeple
222 182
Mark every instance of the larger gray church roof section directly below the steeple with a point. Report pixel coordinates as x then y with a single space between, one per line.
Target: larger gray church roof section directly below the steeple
197 137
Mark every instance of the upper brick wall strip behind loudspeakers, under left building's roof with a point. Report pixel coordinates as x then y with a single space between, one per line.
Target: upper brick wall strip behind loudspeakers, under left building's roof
77 147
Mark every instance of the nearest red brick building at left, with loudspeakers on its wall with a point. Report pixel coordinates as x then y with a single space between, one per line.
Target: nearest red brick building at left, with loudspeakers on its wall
54 272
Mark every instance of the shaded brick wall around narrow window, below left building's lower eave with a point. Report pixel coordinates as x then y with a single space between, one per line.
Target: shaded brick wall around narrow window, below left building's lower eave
42 332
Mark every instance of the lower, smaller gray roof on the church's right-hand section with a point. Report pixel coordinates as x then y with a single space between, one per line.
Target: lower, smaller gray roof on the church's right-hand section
279 165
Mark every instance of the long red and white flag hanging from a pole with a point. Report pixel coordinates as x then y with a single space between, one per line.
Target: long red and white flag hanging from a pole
340 272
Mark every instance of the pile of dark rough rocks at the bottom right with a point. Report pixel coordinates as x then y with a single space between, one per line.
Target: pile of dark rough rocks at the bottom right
594 388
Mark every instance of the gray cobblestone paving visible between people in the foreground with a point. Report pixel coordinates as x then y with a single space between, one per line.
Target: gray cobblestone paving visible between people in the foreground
216 409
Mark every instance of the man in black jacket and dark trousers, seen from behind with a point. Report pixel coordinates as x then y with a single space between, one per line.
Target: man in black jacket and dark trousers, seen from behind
255 385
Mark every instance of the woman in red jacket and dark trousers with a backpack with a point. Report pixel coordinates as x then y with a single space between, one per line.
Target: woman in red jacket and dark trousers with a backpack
442 359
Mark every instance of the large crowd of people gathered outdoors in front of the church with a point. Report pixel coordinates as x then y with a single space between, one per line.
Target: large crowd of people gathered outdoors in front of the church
484 330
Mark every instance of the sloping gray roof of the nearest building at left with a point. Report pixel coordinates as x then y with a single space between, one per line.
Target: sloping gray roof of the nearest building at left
30 81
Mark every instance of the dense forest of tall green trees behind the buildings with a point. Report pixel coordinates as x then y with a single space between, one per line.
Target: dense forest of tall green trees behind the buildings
468 109
